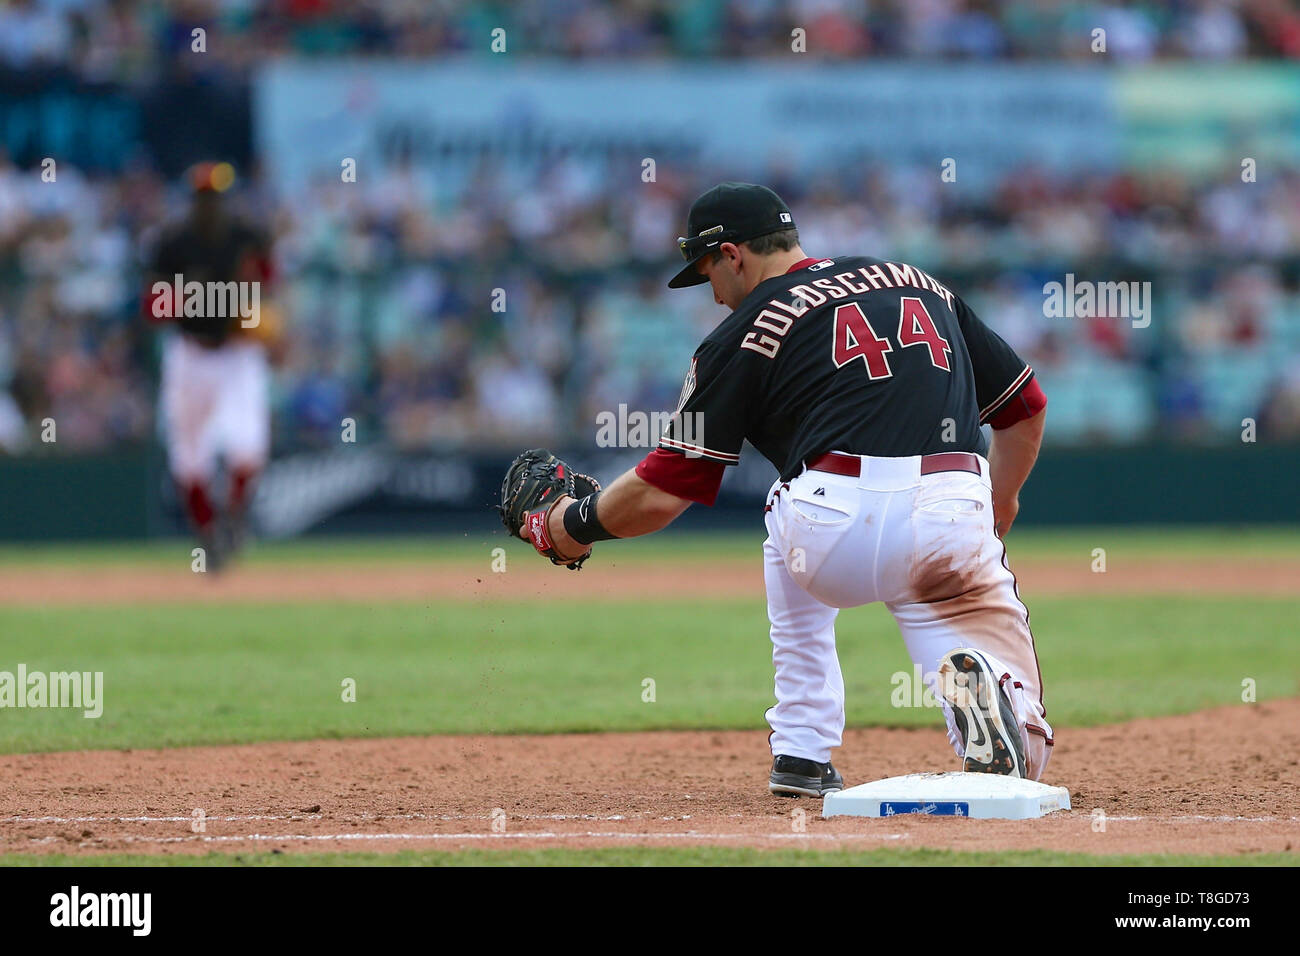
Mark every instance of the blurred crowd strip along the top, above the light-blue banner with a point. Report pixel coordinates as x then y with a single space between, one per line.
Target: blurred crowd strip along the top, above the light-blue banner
124 38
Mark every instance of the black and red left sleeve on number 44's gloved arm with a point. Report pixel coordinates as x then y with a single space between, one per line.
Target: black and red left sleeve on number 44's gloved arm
708 431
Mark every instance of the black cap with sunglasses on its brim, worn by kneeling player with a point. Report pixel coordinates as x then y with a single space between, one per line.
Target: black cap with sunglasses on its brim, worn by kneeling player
729 213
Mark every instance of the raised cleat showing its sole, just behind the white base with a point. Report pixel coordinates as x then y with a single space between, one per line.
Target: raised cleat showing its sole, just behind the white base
983 713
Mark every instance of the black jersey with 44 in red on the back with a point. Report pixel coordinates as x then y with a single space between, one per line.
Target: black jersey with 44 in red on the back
851 354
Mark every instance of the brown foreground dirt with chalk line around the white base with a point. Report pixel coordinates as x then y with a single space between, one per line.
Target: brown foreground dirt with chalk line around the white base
1221 782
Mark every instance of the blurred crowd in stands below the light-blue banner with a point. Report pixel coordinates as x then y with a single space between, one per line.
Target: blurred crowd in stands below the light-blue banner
389 297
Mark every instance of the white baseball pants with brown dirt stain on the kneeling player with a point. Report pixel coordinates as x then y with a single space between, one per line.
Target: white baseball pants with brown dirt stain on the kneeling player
924 546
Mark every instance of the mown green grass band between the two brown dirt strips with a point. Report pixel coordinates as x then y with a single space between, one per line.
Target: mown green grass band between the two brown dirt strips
200 674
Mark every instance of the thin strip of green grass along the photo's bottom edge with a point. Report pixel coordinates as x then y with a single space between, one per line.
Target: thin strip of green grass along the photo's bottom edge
666 856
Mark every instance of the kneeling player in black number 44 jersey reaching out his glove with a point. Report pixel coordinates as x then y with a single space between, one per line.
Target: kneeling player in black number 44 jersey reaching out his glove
865 382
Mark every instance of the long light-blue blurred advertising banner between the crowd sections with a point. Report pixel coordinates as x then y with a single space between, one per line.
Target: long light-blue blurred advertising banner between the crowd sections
447 118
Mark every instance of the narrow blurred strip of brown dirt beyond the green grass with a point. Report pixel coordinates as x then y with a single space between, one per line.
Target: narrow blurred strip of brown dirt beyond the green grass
531 579
